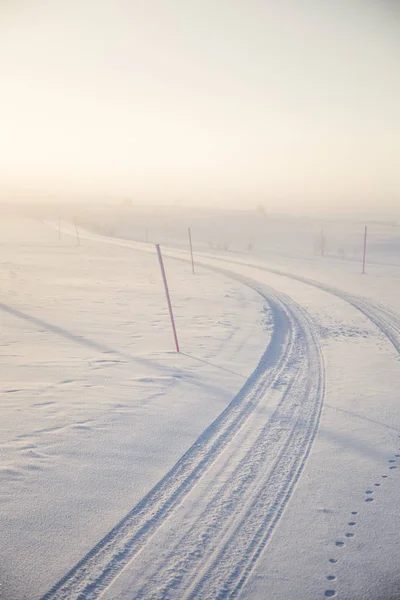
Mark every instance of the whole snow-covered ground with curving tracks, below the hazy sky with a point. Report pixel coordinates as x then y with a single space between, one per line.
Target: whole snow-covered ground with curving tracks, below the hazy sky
260 462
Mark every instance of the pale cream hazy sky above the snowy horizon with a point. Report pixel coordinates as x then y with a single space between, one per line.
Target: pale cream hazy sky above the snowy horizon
288 102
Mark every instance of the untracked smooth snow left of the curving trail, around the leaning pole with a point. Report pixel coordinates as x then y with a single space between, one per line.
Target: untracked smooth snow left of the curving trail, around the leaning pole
96 405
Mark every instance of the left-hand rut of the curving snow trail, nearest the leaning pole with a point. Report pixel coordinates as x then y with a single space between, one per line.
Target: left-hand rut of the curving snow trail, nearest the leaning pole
105 561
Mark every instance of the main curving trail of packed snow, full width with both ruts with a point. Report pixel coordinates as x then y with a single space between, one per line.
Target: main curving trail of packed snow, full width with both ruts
248 458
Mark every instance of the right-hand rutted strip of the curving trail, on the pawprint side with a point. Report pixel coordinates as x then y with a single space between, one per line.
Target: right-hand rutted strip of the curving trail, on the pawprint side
216 554
